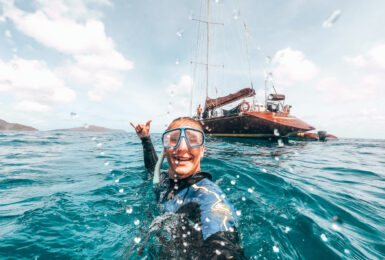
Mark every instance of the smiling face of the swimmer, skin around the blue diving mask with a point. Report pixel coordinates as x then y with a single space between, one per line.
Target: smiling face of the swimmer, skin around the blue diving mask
184 161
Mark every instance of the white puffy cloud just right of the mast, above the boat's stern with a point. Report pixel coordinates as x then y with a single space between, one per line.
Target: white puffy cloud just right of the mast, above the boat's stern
291 66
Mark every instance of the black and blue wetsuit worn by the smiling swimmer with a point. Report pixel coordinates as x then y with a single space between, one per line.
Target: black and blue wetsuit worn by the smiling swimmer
208 216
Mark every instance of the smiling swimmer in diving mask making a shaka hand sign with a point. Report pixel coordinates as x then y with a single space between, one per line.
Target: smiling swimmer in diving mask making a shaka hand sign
186 190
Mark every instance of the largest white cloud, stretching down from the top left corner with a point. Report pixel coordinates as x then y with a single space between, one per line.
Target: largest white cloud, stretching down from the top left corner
94 59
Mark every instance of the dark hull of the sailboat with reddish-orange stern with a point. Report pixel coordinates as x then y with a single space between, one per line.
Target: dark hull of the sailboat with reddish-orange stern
255 125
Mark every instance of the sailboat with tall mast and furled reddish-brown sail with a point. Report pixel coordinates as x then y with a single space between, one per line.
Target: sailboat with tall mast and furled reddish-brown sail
271 119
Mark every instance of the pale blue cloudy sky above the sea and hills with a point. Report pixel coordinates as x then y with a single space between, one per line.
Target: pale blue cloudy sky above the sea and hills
80 62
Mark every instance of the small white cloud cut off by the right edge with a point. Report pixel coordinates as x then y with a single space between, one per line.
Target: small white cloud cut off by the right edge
373 59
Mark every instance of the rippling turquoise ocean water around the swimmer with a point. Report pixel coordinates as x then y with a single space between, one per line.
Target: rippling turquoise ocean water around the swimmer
87 196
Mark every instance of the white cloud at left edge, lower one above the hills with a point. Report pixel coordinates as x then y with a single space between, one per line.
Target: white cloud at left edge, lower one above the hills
32 82
